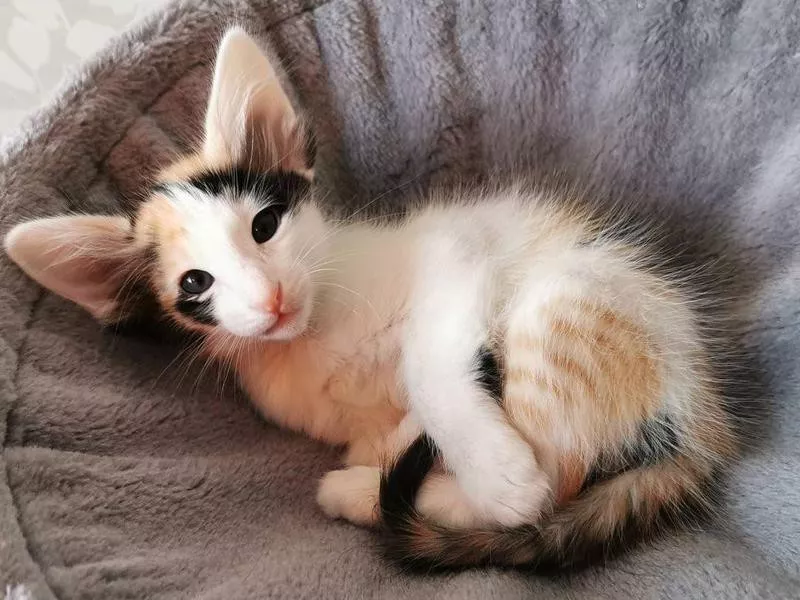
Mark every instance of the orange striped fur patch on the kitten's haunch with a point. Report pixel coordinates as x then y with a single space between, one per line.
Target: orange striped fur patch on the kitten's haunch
584 382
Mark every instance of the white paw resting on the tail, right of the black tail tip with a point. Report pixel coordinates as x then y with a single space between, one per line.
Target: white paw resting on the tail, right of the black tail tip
504 482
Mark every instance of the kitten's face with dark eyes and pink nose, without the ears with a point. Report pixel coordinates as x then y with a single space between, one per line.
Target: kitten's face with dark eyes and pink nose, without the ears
235 251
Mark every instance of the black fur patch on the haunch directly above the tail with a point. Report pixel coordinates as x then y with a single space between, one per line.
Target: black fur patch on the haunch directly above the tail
657 440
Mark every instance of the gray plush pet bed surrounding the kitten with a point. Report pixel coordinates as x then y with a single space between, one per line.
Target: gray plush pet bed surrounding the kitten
127 474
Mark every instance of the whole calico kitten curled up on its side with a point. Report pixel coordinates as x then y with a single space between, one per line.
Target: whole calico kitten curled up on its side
513 384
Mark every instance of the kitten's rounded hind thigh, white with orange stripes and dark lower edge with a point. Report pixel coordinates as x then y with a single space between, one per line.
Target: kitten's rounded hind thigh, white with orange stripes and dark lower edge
584 377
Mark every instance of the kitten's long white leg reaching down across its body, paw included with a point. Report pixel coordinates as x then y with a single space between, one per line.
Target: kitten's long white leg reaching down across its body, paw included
446 337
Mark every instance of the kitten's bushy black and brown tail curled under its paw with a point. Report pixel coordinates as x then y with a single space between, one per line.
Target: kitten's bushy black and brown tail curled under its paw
603 519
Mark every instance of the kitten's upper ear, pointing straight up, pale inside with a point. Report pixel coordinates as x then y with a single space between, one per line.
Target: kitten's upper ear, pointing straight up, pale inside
250 120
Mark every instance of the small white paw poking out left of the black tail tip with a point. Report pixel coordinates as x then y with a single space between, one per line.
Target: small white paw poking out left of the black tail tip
351 494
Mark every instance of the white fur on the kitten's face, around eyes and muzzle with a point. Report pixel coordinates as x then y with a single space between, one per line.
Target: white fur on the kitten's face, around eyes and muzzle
216 237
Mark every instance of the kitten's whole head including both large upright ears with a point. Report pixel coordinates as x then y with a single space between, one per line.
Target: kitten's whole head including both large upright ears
227 241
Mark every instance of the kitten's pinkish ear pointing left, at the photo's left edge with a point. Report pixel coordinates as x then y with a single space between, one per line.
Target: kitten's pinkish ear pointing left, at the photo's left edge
85 259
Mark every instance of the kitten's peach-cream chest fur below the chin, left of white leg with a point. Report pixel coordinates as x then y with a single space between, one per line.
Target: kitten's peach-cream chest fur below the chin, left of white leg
340 382
